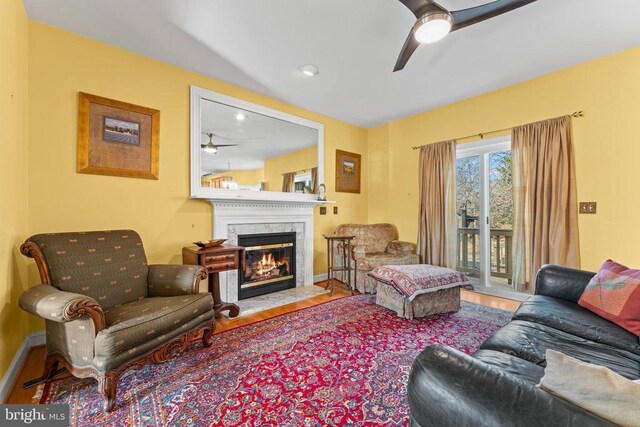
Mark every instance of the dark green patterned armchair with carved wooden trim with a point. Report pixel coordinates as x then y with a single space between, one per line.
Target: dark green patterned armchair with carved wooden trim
106 311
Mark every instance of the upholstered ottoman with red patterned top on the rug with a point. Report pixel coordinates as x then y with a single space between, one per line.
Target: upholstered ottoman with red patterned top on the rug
418 290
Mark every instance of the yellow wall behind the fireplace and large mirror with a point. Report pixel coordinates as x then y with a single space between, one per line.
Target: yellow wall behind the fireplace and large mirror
63 63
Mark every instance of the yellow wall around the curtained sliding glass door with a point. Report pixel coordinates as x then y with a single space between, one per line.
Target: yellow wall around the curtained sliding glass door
607 148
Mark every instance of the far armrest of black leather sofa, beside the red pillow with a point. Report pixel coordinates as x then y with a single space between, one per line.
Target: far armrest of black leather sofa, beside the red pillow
562 282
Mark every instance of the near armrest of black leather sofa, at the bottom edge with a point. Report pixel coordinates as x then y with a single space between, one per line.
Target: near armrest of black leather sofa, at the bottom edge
450 388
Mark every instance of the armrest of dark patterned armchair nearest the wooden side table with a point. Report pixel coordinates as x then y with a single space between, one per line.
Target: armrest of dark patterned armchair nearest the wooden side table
169 280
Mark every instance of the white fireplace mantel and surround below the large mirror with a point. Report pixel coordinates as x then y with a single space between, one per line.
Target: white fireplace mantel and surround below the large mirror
229 212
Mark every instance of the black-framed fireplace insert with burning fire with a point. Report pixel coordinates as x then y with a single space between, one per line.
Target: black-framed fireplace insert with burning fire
270 263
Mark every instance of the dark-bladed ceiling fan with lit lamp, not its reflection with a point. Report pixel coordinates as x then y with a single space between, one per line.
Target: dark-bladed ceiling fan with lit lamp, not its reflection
435 22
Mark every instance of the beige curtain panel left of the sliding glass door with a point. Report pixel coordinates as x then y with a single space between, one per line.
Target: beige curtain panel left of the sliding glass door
437 221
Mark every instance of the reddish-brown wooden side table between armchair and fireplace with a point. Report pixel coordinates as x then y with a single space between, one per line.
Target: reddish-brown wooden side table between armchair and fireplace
216 259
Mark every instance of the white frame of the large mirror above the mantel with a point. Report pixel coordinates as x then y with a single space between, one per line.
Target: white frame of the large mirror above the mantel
197 192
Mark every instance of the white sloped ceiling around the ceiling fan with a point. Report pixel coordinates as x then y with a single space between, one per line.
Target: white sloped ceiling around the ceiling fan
260 45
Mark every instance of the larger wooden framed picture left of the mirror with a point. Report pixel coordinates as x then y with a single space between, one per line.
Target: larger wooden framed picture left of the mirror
117 138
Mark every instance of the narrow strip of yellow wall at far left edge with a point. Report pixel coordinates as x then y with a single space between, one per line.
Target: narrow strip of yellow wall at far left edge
14 173
